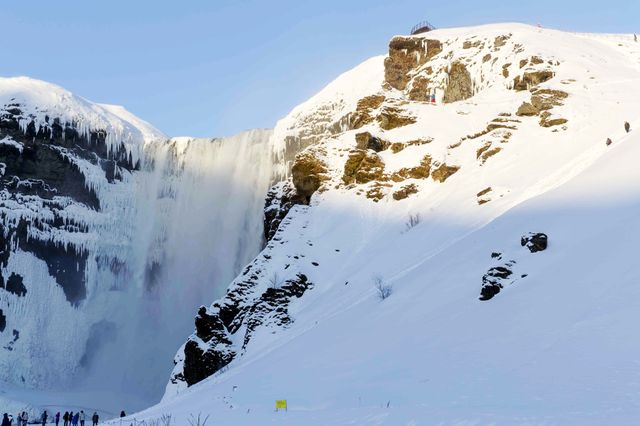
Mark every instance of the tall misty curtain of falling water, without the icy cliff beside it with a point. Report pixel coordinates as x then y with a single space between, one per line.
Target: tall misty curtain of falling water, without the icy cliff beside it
196 220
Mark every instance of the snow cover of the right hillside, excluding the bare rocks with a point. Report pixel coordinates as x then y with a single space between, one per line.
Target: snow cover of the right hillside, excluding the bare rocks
556 347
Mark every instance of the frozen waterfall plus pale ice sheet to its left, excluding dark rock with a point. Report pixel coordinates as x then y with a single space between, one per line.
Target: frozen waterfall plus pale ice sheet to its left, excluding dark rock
167 239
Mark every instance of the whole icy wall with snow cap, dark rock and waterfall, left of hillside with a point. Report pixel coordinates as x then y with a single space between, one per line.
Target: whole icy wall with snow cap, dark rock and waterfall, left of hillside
111 237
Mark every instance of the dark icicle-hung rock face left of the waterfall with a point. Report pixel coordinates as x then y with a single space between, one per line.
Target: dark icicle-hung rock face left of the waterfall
41 165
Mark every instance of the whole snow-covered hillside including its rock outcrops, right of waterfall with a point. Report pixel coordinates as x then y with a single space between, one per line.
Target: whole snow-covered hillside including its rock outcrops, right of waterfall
432 201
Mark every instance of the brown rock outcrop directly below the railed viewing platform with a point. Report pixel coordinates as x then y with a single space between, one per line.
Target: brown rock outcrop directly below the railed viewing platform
405 55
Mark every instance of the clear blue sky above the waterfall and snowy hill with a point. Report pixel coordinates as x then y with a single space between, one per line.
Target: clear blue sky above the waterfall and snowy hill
216 67
